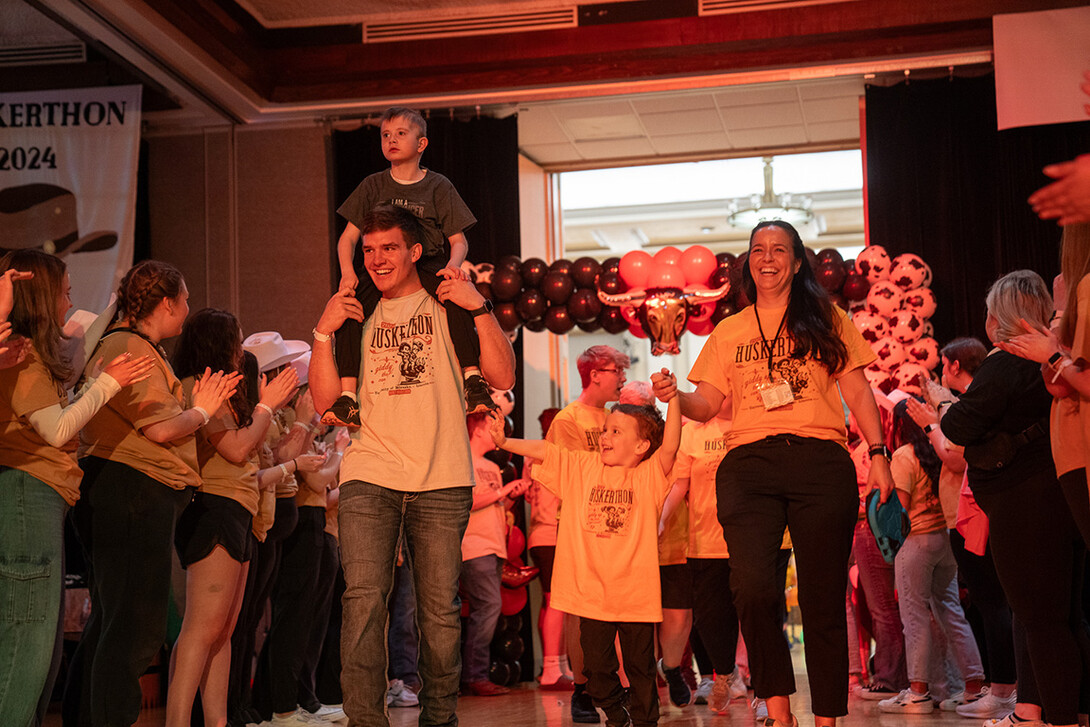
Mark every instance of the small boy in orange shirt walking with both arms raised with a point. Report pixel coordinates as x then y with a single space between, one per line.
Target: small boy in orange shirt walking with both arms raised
608 549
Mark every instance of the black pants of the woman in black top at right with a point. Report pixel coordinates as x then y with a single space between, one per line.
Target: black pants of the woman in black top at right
1040 559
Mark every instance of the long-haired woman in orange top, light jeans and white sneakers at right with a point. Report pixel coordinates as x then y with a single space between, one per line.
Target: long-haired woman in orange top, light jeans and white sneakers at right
926 573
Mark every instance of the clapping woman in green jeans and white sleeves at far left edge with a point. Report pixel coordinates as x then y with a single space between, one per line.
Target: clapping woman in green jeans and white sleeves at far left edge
40 478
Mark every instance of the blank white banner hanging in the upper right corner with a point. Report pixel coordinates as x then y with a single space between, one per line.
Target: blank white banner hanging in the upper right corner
1039 64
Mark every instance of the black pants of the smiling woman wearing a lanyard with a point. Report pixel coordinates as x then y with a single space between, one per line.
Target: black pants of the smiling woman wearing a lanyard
807 486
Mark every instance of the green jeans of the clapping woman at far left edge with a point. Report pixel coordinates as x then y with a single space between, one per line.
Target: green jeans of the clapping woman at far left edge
32 584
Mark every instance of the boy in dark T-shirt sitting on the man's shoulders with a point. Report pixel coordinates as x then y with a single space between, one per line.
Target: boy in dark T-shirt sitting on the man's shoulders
445 217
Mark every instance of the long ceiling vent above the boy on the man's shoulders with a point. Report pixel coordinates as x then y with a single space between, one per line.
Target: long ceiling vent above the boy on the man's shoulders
469 26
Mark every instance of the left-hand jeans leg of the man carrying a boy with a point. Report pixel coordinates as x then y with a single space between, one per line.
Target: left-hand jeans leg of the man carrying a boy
370 520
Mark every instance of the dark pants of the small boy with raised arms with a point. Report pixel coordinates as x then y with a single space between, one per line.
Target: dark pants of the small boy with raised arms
600 667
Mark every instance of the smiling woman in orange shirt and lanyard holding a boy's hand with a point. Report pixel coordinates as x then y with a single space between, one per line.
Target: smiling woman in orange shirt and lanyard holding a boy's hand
786 361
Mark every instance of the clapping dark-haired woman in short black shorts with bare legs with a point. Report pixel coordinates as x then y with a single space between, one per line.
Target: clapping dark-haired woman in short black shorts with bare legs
213 539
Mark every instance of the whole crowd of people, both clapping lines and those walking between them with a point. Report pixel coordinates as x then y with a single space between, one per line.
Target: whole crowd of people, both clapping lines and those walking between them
346 491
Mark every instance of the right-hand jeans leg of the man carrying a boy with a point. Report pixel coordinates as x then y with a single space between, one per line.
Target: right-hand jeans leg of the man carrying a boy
435 523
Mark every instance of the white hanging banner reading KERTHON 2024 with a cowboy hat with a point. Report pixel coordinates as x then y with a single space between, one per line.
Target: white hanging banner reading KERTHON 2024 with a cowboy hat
68 181
